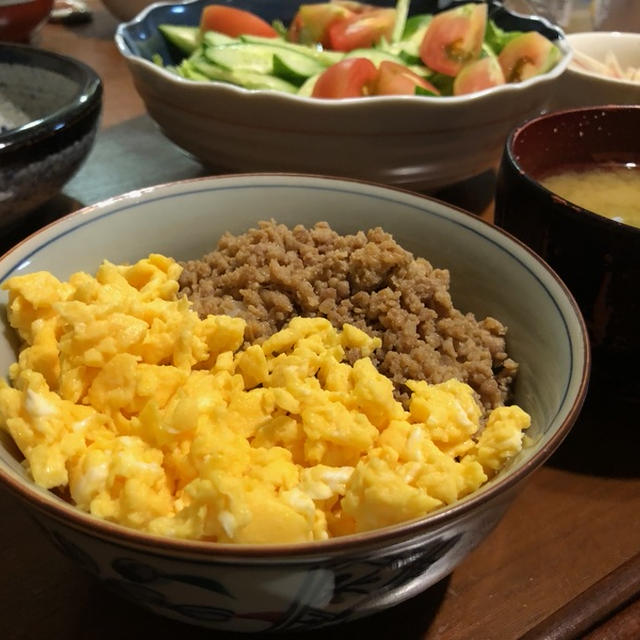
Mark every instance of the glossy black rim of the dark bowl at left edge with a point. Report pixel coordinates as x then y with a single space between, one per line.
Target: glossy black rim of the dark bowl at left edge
85 99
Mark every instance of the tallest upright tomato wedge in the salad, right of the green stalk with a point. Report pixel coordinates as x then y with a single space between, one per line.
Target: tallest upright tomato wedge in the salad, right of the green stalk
453 38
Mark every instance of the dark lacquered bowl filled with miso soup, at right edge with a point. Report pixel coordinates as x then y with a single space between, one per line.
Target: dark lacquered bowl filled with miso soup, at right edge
568 186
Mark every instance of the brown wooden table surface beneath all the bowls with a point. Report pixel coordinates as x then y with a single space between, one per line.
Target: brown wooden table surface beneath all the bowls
544 571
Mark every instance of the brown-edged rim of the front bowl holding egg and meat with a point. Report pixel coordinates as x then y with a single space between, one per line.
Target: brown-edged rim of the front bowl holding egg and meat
71 516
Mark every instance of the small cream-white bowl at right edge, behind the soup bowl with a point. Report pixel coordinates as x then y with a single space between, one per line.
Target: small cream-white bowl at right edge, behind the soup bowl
582 88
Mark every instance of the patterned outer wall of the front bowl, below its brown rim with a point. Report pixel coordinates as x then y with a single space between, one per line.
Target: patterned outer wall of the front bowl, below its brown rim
325 594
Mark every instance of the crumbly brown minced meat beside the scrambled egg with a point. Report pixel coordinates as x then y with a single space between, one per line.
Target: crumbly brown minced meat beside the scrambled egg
273 273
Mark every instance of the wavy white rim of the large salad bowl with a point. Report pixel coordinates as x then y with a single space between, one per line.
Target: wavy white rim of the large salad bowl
123 40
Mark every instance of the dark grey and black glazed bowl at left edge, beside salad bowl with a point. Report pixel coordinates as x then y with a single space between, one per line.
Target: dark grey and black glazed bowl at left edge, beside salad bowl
49 112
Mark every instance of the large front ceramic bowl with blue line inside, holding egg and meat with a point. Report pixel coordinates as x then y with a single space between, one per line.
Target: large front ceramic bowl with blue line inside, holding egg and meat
296 587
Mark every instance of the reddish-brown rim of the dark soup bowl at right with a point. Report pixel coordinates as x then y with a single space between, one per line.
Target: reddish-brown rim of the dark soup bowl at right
585 214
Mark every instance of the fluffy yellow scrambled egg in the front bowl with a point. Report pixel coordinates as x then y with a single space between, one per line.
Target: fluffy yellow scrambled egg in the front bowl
151 417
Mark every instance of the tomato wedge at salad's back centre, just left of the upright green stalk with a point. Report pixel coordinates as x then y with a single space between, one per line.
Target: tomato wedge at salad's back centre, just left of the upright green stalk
361 30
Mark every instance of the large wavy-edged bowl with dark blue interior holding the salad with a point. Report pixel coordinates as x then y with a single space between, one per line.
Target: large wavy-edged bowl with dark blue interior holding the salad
413 141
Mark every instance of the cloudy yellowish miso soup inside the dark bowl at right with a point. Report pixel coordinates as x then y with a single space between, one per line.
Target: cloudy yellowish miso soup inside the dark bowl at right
612 191
